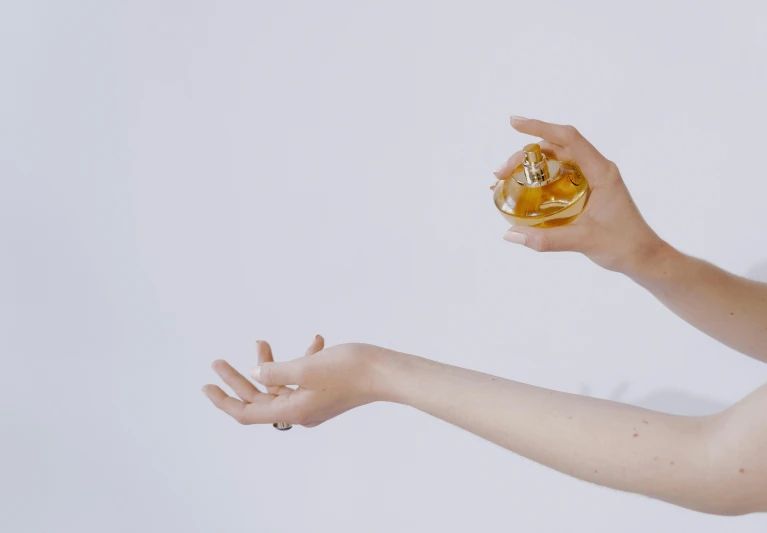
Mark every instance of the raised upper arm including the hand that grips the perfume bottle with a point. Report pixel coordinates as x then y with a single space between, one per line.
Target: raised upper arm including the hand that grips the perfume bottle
613 234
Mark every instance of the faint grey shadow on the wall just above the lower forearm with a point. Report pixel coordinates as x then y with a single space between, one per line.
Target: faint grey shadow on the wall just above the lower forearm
670 401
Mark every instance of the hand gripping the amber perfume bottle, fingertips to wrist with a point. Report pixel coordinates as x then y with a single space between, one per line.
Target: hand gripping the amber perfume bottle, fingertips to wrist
610 231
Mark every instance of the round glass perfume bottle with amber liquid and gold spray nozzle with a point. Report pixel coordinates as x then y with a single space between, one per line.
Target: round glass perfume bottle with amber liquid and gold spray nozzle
541 192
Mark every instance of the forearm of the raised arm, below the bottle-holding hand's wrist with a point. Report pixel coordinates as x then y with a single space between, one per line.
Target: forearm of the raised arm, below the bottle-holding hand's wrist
729 308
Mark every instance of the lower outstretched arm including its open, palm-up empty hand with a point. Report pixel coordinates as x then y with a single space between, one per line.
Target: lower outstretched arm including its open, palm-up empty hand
714 464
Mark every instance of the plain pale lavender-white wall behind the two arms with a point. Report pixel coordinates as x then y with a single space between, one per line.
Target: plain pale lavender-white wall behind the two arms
181 178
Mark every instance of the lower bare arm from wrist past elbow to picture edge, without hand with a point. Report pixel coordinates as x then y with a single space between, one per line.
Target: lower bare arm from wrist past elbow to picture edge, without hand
714 464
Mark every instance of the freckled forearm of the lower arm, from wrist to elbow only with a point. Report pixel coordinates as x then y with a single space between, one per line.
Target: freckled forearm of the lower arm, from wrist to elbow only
607 443
